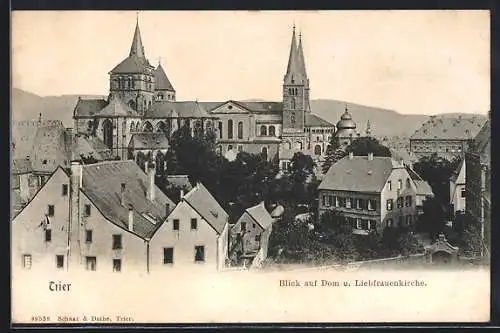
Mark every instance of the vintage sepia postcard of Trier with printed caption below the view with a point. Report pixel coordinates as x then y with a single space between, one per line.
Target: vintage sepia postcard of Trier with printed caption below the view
175 167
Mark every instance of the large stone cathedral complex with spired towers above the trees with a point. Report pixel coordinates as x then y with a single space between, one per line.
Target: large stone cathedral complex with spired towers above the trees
141 112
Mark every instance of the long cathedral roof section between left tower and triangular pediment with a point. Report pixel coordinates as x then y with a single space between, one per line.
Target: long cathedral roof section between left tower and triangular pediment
171 109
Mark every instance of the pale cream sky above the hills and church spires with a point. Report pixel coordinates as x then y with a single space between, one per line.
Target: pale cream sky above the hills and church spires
422 62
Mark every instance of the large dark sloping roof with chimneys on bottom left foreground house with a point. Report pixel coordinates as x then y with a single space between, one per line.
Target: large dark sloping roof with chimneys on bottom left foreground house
102 184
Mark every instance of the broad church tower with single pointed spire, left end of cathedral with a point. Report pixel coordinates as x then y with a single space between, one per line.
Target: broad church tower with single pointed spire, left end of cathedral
133 79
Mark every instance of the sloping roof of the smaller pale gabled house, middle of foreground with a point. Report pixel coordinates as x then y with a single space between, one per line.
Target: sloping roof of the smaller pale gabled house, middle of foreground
205 204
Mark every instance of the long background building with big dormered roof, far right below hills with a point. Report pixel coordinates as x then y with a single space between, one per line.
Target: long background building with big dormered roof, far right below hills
447 136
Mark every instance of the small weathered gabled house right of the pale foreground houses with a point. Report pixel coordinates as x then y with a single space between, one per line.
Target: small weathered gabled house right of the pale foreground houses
252 227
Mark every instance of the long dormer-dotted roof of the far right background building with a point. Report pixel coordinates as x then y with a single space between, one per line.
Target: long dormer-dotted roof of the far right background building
449 128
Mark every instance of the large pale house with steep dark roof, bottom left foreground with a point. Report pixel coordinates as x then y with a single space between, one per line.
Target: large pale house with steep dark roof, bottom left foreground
91 217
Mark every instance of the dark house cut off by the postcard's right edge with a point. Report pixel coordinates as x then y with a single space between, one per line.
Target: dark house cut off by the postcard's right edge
478 182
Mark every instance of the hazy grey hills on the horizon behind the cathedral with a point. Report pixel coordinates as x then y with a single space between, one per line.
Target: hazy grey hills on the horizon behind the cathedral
384 122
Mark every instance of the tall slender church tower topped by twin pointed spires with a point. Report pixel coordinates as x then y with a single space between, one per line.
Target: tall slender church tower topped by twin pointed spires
295 90
